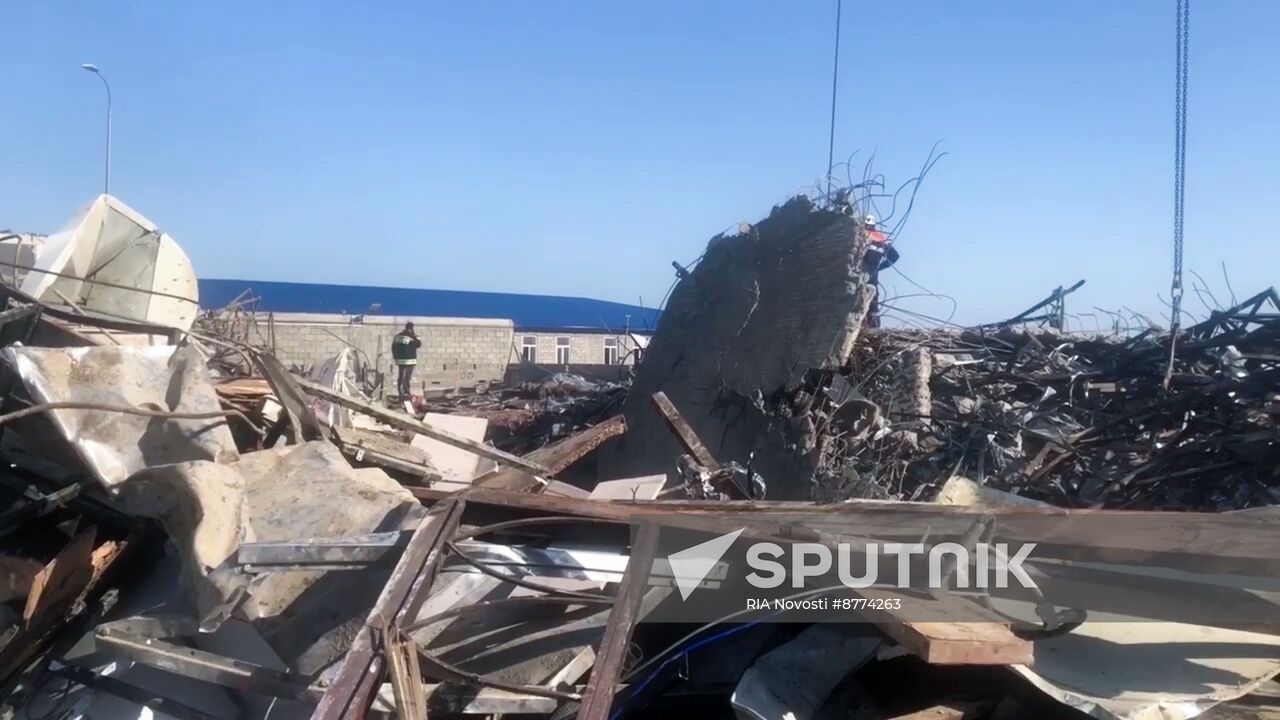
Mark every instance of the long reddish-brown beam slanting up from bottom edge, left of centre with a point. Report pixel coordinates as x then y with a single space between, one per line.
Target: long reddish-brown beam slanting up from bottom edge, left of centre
354 686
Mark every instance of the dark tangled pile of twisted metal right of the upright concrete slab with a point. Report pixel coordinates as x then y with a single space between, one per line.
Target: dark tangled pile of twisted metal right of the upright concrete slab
1080 422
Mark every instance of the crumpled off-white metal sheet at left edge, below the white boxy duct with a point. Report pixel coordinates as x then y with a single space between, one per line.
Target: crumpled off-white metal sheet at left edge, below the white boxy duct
116 446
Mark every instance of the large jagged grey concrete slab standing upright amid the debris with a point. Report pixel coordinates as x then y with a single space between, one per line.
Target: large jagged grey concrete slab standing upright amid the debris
738 338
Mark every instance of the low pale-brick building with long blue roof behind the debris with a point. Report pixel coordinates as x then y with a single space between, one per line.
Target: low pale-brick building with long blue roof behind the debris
468 338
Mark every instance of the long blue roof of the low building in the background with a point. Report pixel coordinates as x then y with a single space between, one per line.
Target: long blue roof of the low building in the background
528 312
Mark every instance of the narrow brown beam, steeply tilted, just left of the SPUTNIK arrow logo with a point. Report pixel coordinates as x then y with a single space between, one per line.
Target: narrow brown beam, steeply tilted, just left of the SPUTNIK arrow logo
598 698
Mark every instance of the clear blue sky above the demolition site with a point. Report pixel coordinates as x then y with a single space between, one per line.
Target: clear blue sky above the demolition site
578 148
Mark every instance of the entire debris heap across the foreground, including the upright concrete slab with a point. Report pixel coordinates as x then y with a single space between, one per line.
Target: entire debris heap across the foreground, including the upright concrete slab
193 531
